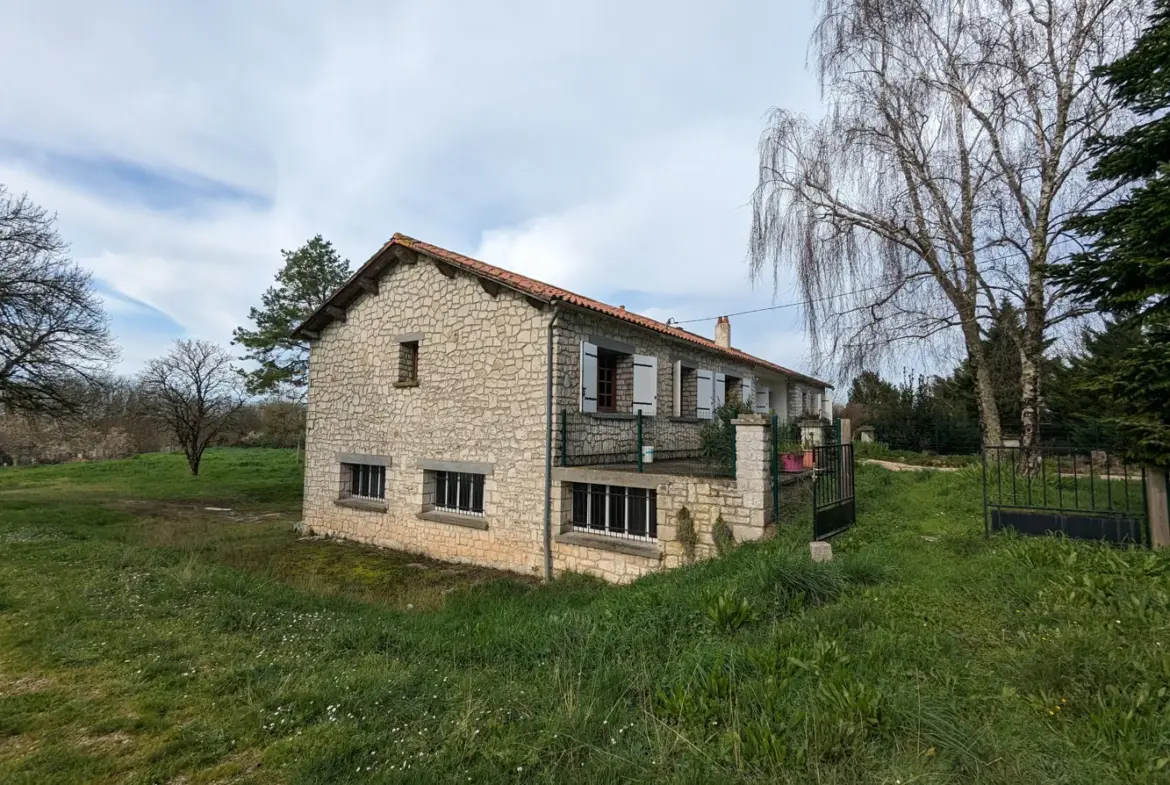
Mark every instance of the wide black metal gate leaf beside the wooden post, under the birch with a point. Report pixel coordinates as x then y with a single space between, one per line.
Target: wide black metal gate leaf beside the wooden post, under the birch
1047 492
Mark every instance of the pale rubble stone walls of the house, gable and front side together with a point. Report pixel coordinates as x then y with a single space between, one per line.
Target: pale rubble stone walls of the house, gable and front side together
480 402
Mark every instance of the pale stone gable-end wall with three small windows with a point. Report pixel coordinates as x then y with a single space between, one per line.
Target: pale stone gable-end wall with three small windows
480 400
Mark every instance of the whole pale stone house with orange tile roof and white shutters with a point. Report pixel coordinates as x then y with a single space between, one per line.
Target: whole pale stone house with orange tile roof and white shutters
446 397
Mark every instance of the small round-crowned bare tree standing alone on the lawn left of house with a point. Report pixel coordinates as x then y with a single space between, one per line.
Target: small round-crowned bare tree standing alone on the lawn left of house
195 392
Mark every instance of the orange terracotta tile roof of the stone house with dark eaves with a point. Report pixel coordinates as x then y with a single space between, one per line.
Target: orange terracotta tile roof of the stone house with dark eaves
547 292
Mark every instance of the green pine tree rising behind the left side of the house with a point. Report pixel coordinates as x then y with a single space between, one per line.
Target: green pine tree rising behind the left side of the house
309 277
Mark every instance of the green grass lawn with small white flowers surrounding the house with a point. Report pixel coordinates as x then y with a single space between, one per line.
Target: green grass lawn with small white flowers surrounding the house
148 639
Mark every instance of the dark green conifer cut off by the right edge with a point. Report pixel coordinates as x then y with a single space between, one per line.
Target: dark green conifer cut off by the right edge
1126 271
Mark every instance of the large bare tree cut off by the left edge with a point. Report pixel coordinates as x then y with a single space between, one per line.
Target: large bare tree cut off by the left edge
53 329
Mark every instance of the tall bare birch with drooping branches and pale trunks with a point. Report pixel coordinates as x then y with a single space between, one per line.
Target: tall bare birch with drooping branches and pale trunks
940 184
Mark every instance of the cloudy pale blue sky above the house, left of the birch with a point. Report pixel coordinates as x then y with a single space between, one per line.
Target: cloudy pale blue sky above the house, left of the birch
604 147
